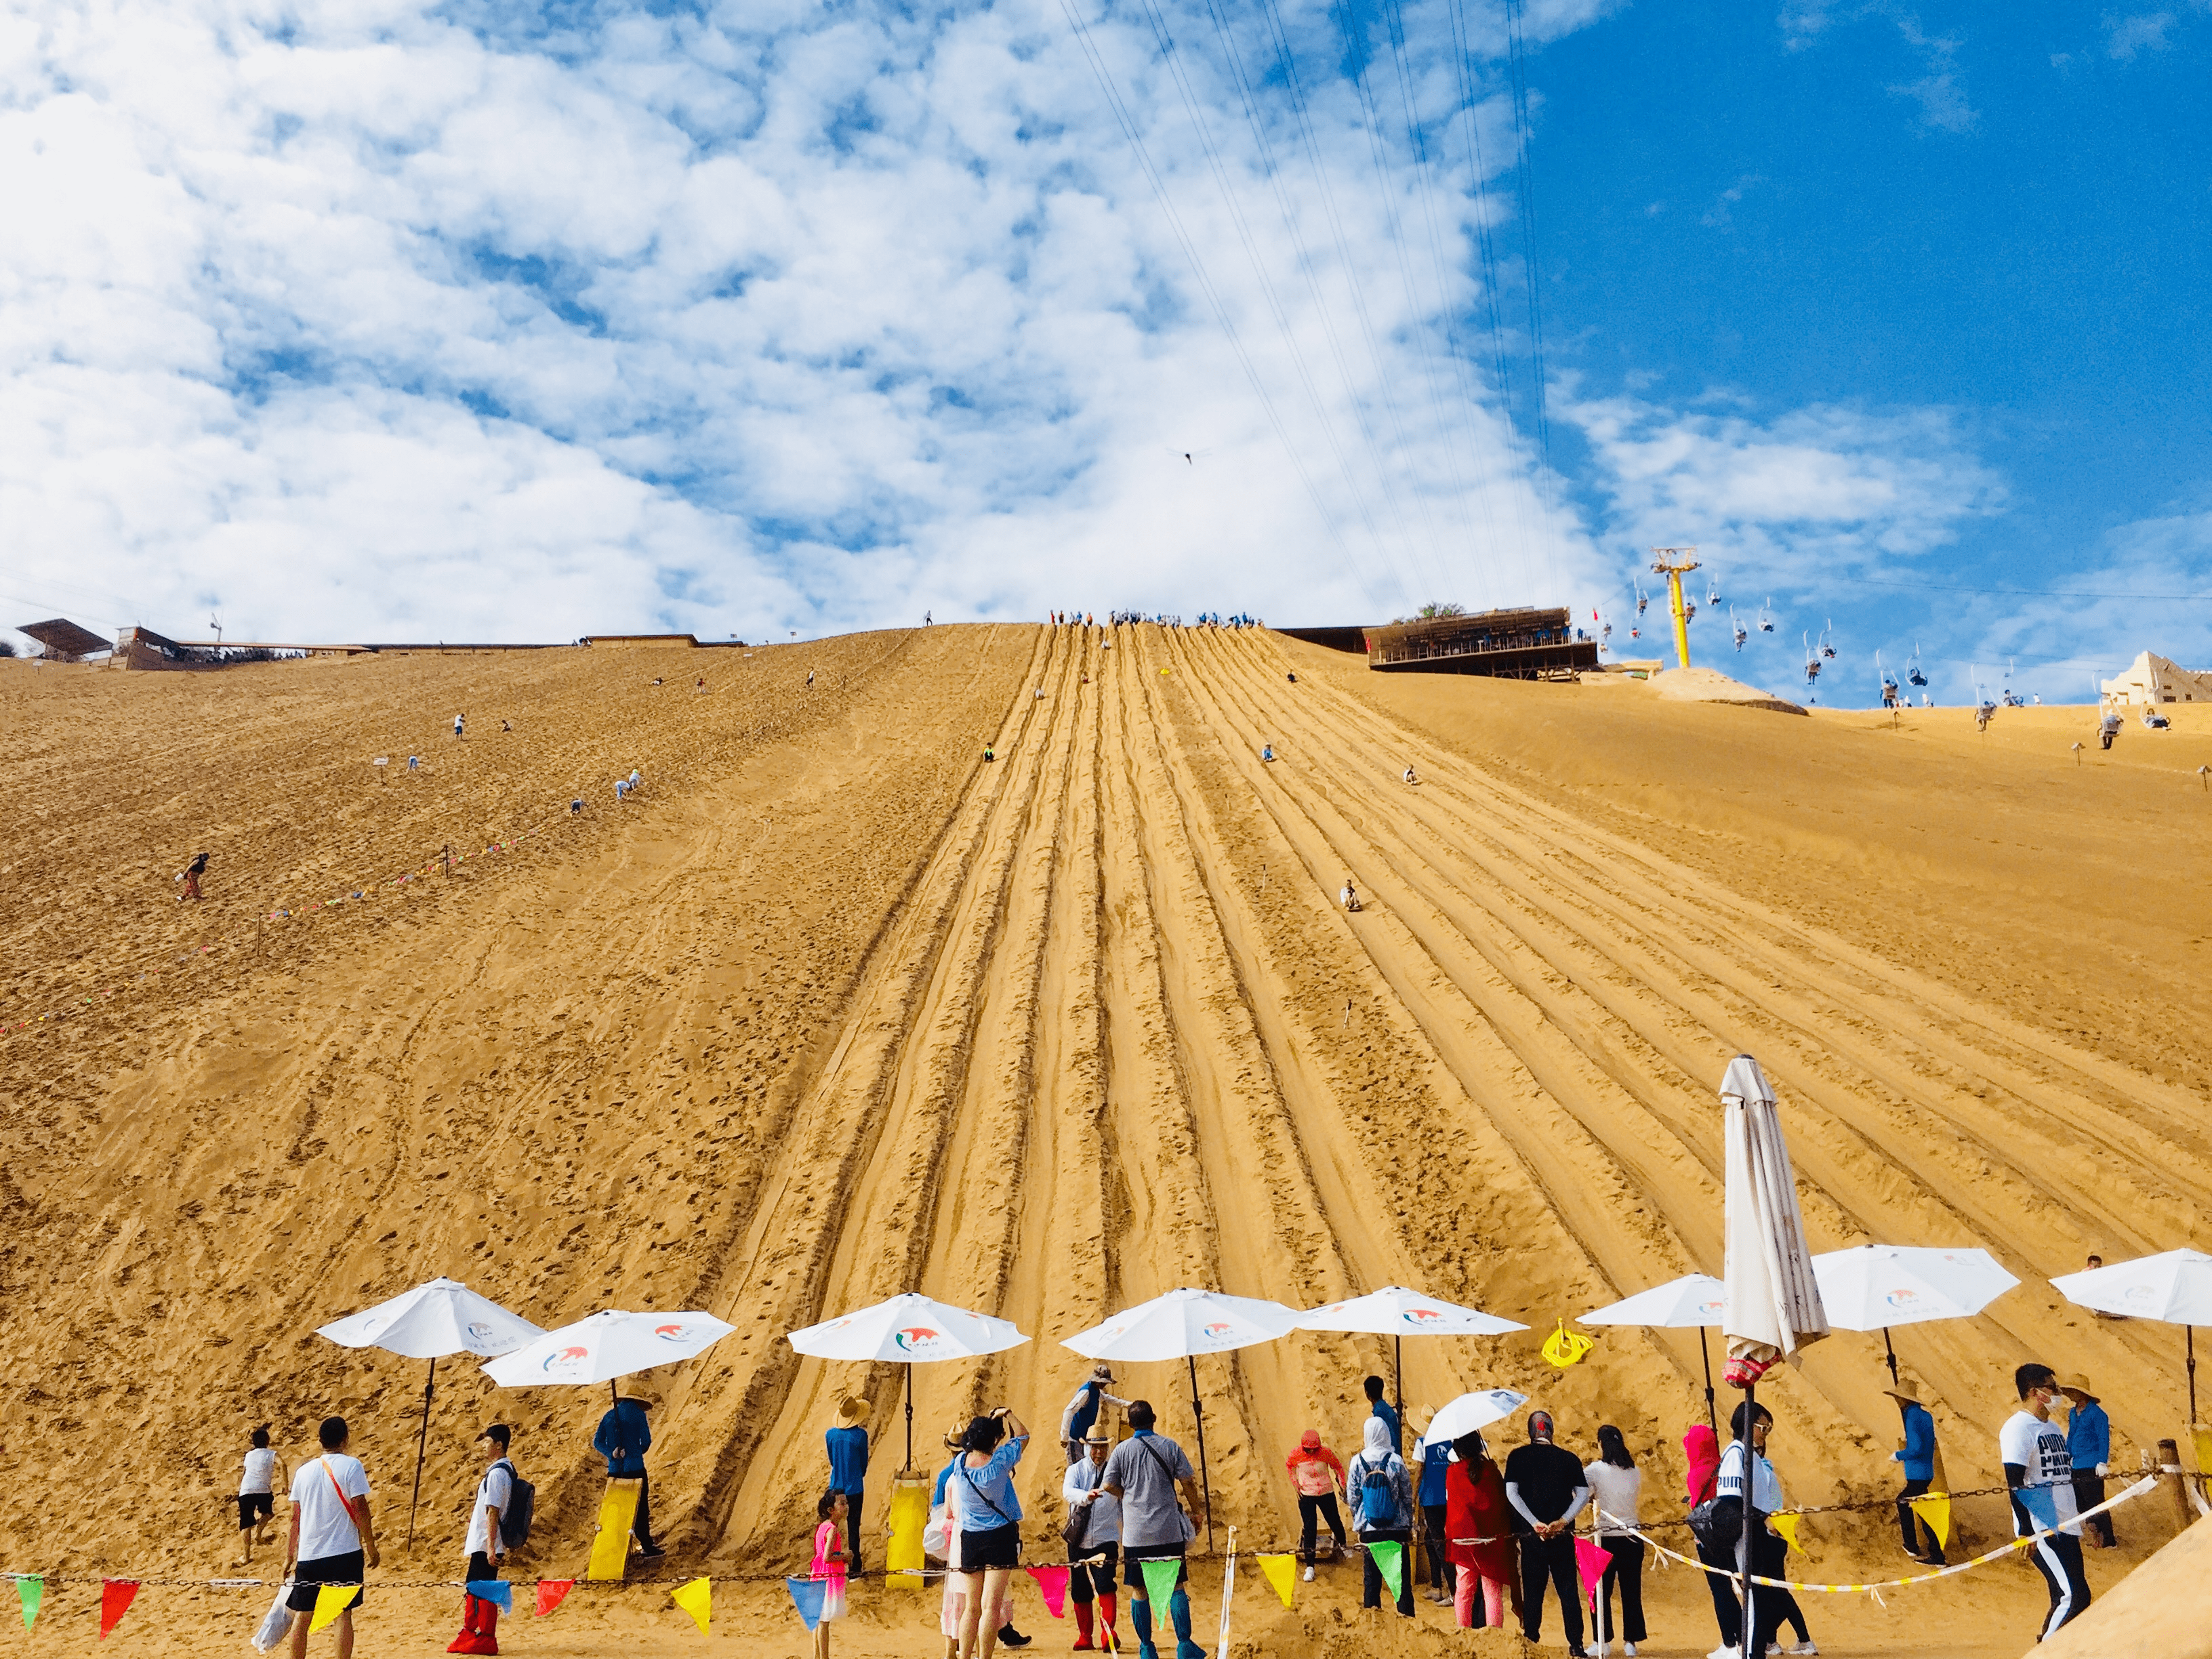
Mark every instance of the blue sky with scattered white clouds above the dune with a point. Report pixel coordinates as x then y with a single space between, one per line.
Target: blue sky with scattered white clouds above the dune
490 322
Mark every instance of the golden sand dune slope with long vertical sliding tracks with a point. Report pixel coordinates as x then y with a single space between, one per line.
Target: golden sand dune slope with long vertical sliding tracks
837 1010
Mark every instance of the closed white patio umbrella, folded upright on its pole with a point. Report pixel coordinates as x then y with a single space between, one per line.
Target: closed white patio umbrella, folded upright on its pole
1773 1304
